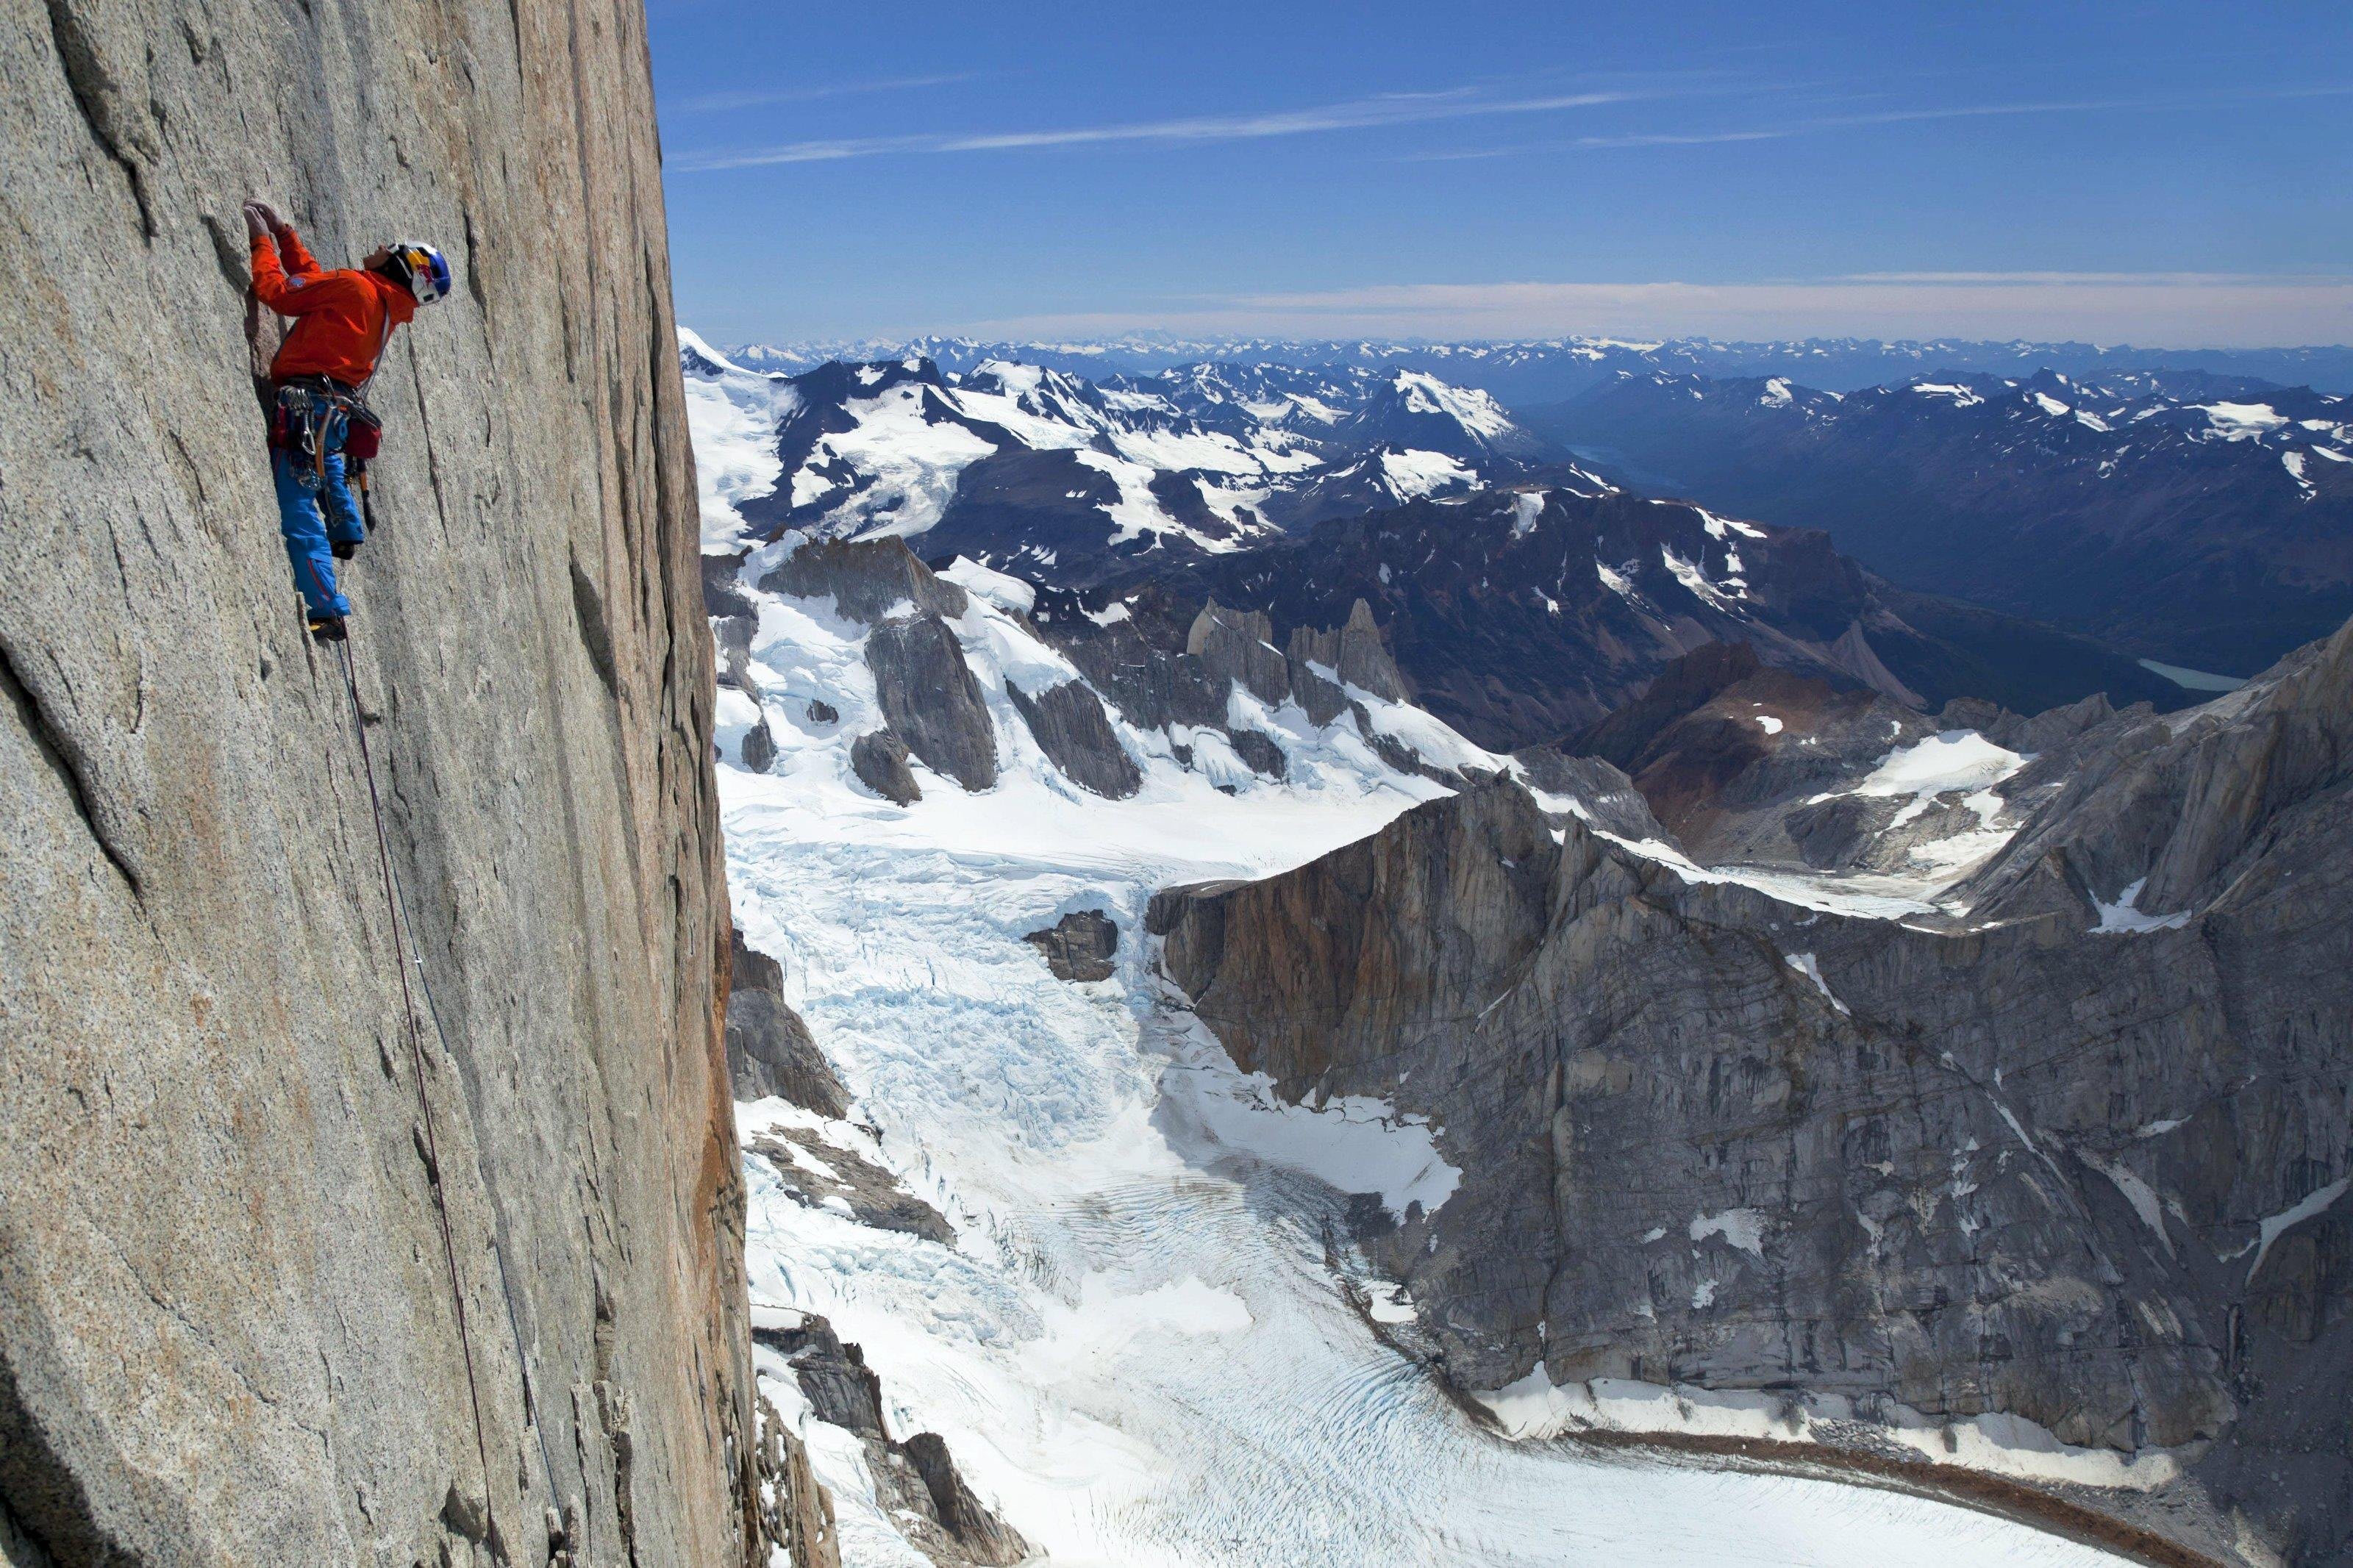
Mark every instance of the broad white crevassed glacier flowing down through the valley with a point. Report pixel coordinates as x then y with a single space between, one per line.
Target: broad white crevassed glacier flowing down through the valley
1135 1346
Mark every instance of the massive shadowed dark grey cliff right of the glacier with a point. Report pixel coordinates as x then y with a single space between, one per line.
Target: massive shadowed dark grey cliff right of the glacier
2088 1179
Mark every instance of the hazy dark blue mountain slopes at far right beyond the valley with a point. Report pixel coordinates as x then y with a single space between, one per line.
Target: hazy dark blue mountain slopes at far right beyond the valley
2192 518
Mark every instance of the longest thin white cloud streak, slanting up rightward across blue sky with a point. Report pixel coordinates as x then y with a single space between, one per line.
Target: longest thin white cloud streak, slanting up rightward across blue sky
1357 114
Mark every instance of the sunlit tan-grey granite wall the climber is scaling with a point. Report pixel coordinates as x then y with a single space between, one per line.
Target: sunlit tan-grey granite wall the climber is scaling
227 1318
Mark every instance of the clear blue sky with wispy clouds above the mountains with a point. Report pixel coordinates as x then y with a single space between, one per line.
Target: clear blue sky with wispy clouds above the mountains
2121 173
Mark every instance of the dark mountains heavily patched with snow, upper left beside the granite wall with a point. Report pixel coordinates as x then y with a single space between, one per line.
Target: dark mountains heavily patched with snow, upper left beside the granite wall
1069 481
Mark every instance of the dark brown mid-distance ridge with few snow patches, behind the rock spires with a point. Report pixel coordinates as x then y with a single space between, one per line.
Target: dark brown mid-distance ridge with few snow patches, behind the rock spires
1528 615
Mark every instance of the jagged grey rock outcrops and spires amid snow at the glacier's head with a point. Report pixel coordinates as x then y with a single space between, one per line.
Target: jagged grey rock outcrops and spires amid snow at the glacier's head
1215 697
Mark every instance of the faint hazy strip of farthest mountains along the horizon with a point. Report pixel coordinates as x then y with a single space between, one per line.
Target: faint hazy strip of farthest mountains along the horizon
1552 370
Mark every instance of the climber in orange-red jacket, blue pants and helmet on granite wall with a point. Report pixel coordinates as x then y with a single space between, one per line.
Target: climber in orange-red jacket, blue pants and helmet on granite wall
324 424
